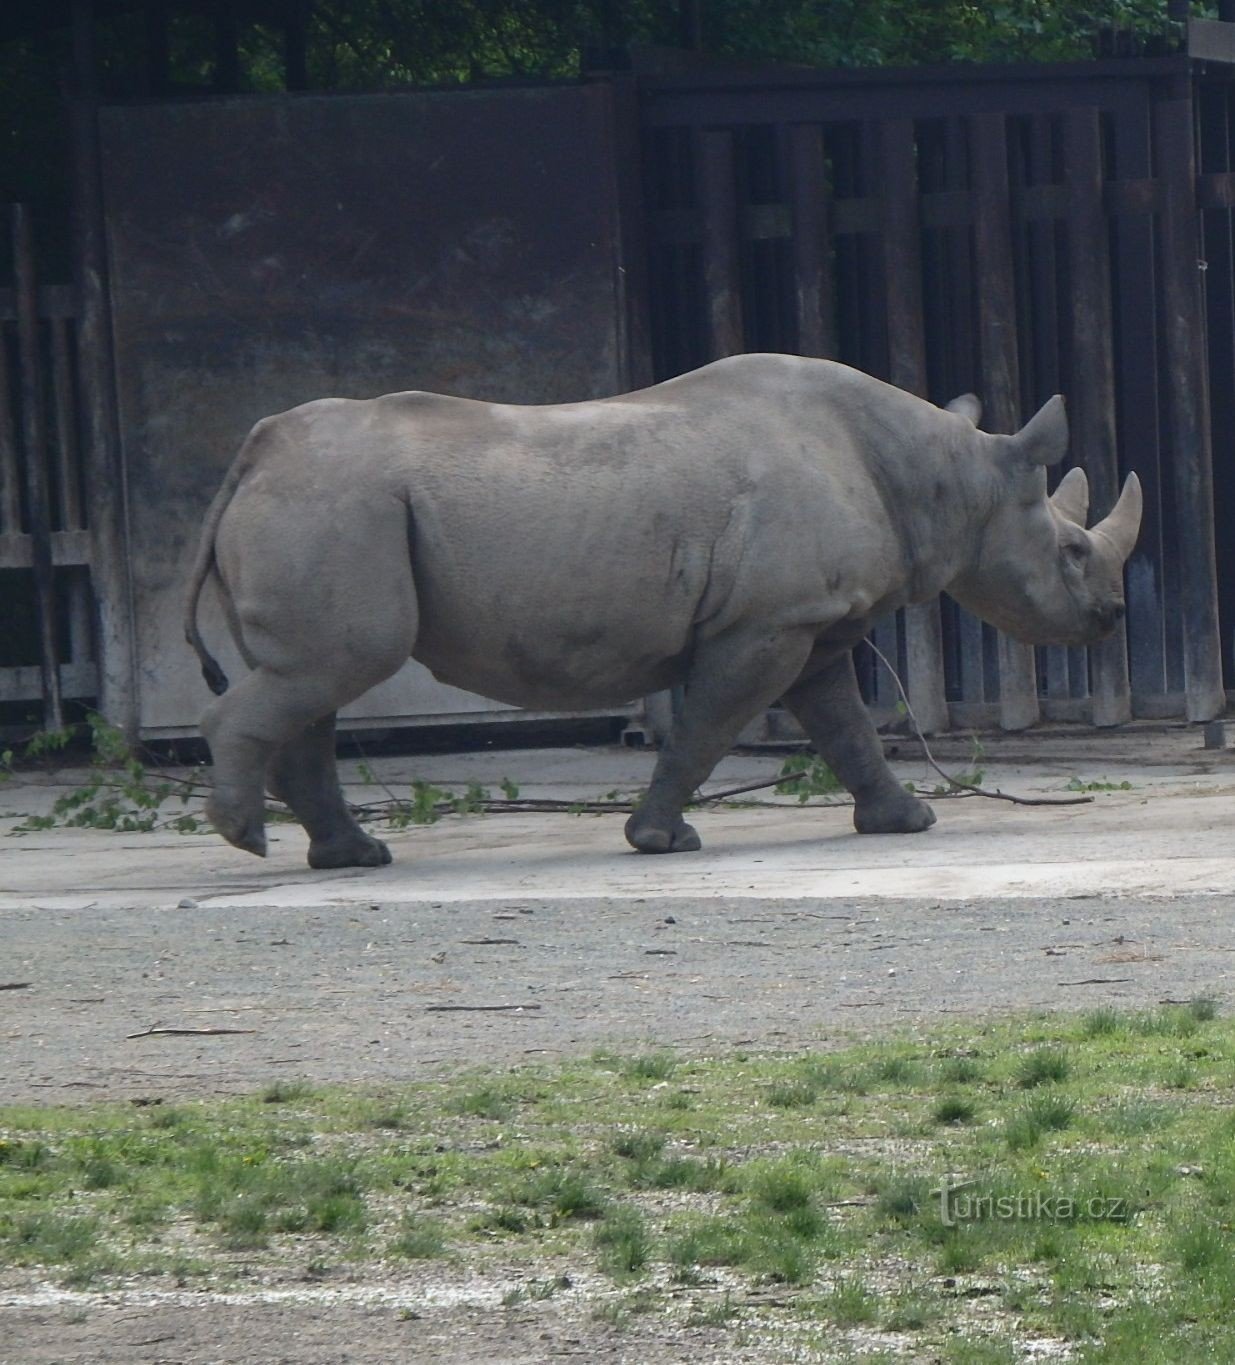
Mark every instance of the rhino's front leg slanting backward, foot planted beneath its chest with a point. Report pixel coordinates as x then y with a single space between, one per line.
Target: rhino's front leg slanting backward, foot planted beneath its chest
732 680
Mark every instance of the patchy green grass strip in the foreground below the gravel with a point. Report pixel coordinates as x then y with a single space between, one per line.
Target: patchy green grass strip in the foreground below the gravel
1075 1176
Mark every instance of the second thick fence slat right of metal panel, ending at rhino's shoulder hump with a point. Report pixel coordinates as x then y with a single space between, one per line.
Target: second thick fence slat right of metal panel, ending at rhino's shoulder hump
813 242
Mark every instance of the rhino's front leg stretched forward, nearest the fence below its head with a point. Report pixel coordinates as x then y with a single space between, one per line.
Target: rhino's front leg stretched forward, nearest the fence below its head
830 709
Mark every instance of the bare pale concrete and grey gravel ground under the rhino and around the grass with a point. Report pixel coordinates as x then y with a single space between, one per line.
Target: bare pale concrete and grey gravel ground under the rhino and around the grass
787 930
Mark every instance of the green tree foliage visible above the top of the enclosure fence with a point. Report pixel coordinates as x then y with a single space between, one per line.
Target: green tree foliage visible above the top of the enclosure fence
358 44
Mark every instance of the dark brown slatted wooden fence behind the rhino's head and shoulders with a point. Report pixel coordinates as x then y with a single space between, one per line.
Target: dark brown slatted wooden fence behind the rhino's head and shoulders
1016 237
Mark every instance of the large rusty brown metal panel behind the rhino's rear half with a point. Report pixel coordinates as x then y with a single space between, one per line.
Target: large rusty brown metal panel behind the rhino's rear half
267 252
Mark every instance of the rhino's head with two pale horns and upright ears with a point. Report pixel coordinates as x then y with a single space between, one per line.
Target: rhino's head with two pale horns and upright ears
1039 575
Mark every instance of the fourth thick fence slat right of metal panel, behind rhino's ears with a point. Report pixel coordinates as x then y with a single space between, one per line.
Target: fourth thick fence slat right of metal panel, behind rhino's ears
1019 705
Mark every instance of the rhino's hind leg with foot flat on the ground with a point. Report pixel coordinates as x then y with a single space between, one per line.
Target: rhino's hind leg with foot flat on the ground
305 776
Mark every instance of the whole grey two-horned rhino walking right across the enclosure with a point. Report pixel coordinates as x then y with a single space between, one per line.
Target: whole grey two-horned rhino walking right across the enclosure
735 530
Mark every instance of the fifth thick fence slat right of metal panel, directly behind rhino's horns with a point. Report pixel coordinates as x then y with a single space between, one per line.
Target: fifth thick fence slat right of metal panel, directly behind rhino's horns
1092 407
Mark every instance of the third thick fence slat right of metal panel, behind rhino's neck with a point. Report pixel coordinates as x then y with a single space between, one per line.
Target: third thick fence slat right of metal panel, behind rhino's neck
908 371
